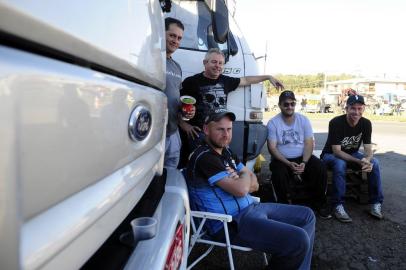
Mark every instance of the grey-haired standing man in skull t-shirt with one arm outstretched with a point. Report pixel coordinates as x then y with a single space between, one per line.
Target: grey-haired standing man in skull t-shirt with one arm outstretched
210 88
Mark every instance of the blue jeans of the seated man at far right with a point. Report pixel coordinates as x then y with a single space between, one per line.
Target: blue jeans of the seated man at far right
339 168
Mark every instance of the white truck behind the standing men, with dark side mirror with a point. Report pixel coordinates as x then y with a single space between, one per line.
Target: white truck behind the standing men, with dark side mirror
210 24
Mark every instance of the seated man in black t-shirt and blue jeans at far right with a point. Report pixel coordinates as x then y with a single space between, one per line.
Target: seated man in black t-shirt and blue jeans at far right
345 135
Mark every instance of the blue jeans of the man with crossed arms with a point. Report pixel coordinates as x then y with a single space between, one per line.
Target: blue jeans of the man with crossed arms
285 231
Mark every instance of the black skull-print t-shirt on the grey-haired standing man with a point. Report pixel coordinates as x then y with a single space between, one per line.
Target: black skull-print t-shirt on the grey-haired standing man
209 94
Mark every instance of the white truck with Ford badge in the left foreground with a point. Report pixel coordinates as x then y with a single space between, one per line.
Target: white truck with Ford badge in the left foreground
83 121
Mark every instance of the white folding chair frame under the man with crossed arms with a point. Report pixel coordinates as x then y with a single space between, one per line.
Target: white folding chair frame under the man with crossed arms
199 235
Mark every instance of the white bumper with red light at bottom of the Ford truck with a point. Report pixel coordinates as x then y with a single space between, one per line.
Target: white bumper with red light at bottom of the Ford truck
169 248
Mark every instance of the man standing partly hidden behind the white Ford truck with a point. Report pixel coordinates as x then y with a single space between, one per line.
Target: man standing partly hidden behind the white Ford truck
174 33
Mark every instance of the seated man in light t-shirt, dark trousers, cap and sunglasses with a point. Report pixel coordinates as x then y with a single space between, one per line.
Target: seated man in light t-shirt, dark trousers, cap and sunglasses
291 143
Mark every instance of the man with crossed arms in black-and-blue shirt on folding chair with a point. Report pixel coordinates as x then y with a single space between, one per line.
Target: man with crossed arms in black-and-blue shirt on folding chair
218 182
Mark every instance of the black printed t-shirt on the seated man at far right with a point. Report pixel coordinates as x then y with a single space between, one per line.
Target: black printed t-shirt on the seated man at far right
350 138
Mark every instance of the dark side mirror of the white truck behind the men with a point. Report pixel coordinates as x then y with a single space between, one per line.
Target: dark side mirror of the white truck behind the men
220 21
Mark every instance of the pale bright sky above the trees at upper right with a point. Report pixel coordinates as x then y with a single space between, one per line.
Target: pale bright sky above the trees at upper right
360 37
